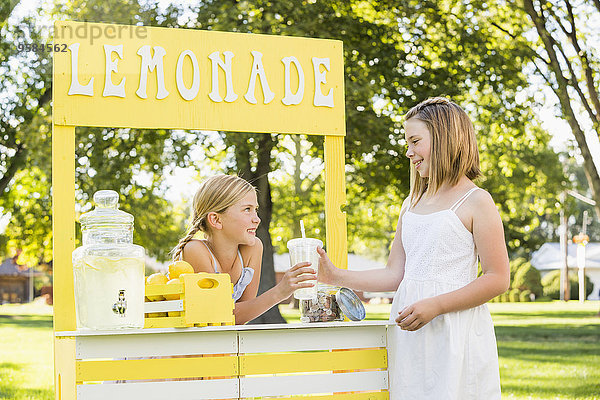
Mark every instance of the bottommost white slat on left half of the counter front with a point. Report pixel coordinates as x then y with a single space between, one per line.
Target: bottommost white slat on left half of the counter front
188 390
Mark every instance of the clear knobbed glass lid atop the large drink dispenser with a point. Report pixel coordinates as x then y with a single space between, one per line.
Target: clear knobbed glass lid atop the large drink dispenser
106 211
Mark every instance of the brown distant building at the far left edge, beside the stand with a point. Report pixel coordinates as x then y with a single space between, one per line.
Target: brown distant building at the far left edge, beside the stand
16 282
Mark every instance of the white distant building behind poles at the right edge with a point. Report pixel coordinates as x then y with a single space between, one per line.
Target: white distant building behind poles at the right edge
549 258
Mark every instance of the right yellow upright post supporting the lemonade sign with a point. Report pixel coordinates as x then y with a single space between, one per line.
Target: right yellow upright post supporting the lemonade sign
335 198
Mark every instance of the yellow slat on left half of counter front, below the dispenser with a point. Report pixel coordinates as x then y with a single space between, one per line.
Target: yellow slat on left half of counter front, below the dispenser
163 368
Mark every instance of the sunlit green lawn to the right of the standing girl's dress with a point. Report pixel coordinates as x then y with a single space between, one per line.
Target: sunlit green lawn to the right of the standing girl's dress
548 350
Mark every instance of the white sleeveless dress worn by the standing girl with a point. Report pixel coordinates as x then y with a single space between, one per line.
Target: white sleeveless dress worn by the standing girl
453 357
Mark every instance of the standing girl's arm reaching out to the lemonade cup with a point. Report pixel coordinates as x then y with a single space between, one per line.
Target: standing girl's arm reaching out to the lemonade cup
374 280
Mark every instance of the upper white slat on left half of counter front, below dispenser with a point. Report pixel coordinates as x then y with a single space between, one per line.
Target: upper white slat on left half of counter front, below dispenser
166 344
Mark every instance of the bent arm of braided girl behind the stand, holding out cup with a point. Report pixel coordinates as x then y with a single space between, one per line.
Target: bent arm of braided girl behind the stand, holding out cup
249 306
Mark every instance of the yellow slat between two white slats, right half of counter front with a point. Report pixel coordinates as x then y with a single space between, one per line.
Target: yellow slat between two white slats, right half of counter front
254 364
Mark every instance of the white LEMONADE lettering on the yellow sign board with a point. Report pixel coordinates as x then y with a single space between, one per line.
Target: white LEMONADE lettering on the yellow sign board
189 90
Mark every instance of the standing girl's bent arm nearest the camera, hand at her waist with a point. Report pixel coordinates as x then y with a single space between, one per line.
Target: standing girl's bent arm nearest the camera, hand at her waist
488 234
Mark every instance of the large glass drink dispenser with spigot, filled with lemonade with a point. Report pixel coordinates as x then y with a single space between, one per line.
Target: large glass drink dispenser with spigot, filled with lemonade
108 268
